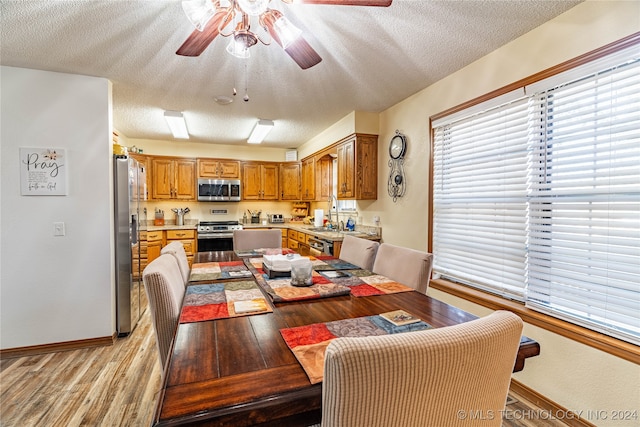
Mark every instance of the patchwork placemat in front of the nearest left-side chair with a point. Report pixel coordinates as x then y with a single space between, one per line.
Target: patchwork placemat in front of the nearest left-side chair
216 300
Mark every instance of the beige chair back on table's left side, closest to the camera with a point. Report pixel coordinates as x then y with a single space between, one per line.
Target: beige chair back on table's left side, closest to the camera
165 289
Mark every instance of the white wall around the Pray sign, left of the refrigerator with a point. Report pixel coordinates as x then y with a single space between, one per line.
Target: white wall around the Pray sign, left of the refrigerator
56 289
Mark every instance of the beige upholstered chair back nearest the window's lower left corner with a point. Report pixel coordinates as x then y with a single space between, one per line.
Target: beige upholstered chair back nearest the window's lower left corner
407 266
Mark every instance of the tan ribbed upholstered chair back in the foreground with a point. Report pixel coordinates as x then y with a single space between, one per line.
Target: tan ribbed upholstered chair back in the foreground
425 378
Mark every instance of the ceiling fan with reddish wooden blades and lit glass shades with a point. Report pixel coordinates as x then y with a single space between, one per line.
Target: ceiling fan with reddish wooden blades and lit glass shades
212 17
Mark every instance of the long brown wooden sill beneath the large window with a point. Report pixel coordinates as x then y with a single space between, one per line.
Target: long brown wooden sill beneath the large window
586 336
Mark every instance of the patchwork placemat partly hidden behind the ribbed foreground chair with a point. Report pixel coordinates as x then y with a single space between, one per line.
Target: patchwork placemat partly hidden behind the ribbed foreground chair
309 343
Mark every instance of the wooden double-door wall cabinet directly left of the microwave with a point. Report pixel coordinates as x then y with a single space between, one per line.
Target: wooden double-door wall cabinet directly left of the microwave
173 178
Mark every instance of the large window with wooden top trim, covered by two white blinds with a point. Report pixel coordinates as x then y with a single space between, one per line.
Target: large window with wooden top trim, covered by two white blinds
537 196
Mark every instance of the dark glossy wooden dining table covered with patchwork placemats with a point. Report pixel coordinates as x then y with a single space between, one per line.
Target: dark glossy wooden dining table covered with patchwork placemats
239 371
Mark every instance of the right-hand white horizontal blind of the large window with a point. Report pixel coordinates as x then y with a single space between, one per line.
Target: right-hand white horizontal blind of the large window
584 238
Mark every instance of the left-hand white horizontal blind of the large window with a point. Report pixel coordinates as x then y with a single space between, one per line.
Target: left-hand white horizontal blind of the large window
479 195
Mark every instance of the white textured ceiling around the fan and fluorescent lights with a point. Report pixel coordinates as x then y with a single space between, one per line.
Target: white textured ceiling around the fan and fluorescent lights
372 58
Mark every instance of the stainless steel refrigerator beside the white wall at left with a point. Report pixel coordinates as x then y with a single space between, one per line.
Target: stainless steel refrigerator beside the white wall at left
129 191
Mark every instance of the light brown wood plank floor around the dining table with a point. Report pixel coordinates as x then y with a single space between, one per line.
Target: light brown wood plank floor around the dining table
116 386
